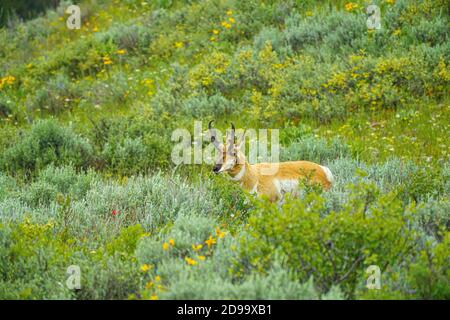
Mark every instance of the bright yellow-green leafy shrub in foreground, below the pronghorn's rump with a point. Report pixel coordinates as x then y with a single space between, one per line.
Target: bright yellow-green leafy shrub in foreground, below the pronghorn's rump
335 248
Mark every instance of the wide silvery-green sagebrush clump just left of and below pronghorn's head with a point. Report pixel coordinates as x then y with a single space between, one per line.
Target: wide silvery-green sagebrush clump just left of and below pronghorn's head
151 202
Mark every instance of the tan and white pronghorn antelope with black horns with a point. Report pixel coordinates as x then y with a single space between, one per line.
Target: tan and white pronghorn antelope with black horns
255 177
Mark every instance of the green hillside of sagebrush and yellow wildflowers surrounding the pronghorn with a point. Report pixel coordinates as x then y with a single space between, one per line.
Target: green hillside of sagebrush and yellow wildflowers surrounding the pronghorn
88 187
